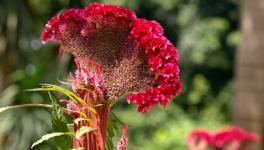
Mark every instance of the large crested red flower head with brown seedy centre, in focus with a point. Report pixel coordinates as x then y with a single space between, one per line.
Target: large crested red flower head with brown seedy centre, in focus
132 52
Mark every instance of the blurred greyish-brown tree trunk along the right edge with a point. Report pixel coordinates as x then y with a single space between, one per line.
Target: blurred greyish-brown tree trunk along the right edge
248 111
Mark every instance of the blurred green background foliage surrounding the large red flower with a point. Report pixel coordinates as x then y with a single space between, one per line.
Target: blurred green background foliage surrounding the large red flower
205 32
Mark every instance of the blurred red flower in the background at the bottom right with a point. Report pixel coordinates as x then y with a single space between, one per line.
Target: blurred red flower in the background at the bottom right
232 136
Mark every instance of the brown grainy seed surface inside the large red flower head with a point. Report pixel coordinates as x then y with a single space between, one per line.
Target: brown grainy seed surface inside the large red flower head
124 65
